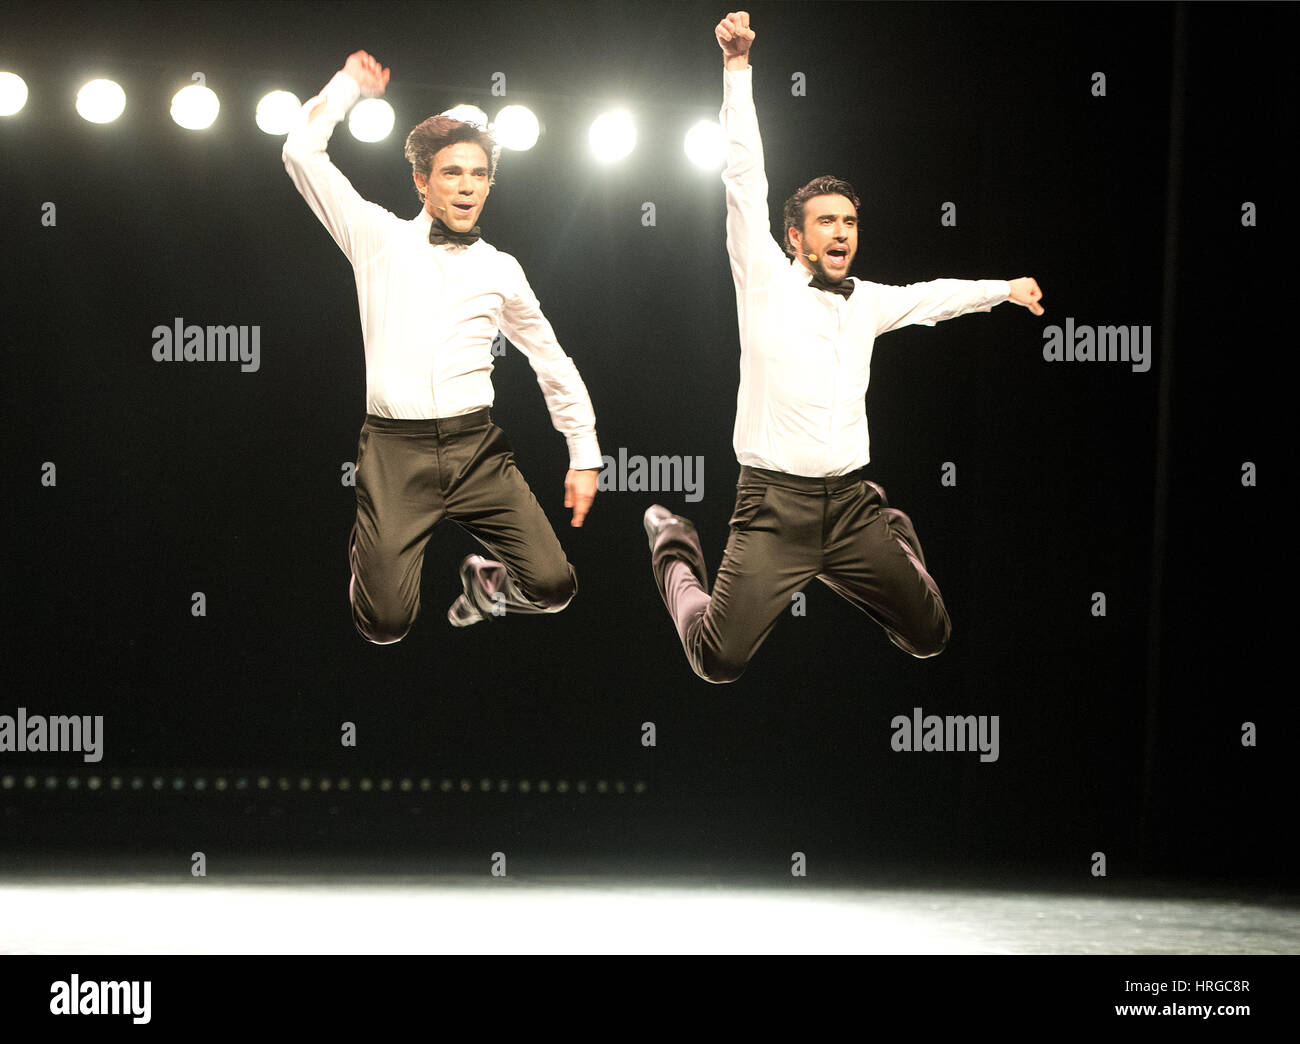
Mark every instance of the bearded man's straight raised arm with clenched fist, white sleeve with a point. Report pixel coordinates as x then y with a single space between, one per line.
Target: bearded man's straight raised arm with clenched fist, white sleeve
749 239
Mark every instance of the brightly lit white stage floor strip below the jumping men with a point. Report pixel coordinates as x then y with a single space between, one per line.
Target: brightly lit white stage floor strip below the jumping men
382 916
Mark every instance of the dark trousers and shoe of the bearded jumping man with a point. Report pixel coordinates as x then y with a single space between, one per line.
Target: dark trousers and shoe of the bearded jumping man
786 531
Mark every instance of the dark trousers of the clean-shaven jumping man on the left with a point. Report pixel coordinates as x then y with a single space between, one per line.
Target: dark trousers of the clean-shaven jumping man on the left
414 474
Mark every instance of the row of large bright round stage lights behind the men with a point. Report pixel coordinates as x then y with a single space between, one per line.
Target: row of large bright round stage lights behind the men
613 135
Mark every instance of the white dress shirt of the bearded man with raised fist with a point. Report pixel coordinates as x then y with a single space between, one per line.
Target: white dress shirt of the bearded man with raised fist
805 354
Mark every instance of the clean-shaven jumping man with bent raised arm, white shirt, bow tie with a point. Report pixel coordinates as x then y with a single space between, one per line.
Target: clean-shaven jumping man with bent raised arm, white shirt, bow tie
432 297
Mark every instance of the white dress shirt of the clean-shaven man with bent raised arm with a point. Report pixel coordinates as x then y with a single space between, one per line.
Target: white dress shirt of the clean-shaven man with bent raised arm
430 314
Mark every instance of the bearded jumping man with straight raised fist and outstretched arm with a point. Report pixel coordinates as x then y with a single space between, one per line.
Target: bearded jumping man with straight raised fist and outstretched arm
804 508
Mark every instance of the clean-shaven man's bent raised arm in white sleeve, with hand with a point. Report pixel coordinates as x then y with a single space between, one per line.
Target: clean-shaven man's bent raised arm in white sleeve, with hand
353 222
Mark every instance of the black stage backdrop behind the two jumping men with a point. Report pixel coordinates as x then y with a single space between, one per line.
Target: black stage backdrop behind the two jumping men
1119 734
